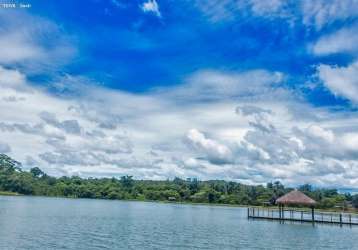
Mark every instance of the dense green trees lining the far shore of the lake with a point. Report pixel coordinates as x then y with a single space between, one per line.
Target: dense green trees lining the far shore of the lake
36 182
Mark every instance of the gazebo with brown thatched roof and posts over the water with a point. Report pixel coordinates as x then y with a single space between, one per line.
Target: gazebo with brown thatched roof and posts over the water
295 197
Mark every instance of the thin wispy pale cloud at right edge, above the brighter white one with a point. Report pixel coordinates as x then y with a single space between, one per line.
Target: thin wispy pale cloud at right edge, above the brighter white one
342 41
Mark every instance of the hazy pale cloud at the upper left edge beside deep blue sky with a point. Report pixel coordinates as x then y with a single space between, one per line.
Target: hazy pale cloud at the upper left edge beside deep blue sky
32 43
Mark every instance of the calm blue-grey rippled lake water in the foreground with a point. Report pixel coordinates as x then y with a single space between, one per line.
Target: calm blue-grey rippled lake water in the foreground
81 224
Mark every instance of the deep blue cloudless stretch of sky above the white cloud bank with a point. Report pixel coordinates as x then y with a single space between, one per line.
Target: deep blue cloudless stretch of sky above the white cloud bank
123 47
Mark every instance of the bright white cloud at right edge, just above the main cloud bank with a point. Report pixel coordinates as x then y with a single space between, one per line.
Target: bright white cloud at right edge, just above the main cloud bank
341 81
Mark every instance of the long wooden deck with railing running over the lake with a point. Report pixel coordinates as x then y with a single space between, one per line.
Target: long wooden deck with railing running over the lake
302 216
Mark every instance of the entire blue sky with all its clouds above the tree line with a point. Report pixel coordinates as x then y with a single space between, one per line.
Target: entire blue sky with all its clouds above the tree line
251 91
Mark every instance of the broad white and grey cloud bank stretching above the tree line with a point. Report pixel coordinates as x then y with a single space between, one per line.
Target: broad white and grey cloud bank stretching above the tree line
251 139
